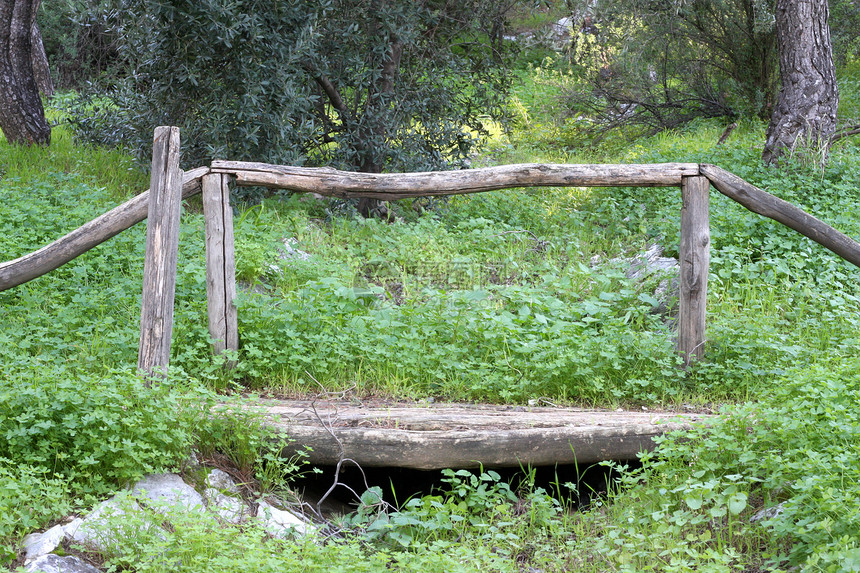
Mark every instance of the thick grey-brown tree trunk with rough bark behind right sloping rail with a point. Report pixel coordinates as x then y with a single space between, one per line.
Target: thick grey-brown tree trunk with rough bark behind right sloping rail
804 119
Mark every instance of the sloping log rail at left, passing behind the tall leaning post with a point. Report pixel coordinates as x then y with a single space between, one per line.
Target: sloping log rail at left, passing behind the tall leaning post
84 238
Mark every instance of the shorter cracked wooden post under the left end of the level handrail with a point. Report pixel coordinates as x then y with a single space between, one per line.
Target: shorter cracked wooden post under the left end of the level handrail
220 263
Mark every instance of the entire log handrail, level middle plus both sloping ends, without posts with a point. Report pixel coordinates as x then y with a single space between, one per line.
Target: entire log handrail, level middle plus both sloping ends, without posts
330 182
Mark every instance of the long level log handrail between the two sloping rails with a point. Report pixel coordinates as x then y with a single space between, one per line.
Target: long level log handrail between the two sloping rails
389 186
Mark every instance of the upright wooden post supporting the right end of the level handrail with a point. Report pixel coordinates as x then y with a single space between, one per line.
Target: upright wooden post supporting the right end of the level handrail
695 259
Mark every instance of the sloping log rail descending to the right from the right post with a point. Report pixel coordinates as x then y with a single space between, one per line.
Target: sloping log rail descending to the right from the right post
763 203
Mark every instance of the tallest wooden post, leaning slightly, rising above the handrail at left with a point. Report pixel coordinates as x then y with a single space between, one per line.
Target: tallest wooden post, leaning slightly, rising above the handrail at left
162 247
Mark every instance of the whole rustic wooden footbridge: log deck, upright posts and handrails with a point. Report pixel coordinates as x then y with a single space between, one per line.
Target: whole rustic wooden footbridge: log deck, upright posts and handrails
488 436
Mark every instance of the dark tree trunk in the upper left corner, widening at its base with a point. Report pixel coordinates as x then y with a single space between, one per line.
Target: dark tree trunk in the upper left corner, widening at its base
22 117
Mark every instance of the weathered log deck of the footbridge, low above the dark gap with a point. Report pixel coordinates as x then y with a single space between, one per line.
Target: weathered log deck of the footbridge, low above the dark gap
466 435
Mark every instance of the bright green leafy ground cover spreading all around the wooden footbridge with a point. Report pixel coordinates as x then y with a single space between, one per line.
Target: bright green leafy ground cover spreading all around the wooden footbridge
499 297
